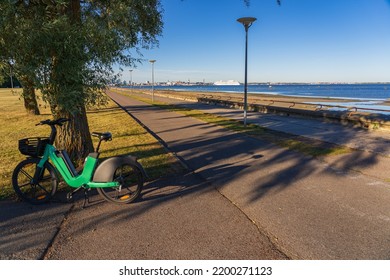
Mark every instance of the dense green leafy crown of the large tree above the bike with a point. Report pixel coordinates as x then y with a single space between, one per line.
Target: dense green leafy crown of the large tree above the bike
68 47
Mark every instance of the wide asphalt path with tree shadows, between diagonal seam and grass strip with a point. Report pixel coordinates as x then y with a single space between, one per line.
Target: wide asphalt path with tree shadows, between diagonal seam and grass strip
309 209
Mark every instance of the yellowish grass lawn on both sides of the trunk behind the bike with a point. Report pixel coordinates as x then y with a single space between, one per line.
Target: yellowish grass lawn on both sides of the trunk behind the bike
128 138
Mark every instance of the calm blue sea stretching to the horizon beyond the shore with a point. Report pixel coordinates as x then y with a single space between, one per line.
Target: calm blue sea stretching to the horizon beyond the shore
365 92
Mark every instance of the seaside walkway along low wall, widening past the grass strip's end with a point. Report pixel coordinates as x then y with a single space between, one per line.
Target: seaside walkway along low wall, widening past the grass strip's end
372 147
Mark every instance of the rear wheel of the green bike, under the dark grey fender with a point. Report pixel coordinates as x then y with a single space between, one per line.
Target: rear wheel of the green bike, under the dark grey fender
131 182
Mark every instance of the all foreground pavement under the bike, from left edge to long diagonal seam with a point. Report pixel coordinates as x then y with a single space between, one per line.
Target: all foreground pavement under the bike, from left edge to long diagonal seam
178 217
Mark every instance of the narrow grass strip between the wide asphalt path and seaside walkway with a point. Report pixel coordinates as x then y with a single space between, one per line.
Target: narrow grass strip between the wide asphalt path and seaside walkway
306 146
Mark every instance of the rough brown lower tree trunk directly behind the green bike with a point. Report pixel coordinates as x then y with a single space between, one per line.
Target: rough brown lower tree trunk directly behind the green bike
74 136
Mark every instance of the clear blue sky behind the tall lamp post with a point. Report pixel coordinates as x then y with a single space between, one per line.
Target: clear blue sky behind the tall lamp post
298 41
